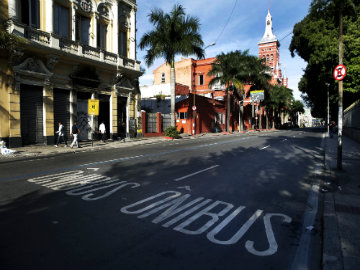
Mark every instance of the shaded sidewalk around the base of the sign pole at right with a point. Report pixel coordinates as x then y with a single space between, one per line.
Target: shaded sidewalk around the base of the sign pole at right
341 234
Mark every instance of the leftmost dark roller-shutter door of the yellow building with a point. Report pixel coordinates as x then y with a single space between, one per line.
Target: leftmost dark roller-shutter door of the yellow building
31 114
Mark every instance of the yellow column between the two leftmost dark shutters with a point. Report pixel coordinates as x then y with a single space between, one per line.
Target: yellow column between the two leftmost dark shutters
48 112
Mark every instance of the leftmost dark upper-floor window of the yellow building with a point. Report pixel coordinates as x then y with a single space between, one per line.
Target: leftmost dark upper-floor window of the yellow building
29 12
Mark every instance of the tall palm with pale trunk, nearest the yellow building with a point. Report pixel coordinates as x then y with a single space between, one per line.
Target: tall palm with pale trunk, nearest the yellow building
174 34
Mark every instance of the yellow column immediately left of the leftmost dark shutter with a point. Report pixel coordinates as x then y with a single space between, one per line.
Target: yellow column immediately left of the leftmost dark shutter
14 114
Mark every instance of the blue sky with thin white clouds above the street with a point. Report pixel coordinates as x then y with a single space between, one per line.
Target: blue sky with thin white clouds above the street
243 31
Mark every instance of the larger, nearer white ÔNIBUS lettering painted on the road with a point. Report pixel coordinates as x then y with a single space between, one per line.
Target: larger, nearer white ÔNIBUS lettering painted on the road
172 207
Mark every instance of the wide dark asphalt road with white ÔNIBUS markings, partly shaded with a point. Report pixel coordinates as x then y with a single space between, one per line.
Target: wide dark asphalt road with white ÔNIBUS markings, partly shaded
227 202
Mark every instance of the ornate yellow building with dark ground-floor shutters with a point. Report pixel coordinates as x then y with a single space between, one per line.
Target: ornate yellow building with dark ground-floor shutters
76 50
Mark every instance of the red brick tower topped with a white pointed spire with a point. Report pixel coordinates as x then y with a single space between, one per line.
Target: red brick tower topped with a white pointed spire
269 50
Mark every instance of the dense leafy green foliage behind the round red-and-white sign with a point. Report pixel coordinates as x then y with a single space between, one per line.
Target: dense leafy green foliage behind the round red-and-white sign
316 40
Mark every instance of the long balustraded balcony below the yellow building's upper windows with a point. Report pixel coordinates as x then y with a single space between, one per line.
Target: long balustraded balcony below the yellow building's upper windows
71 47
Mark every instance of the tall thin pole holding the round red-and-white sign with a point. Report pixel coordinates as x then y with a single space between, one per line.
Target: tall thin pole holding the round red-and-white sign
340 102
